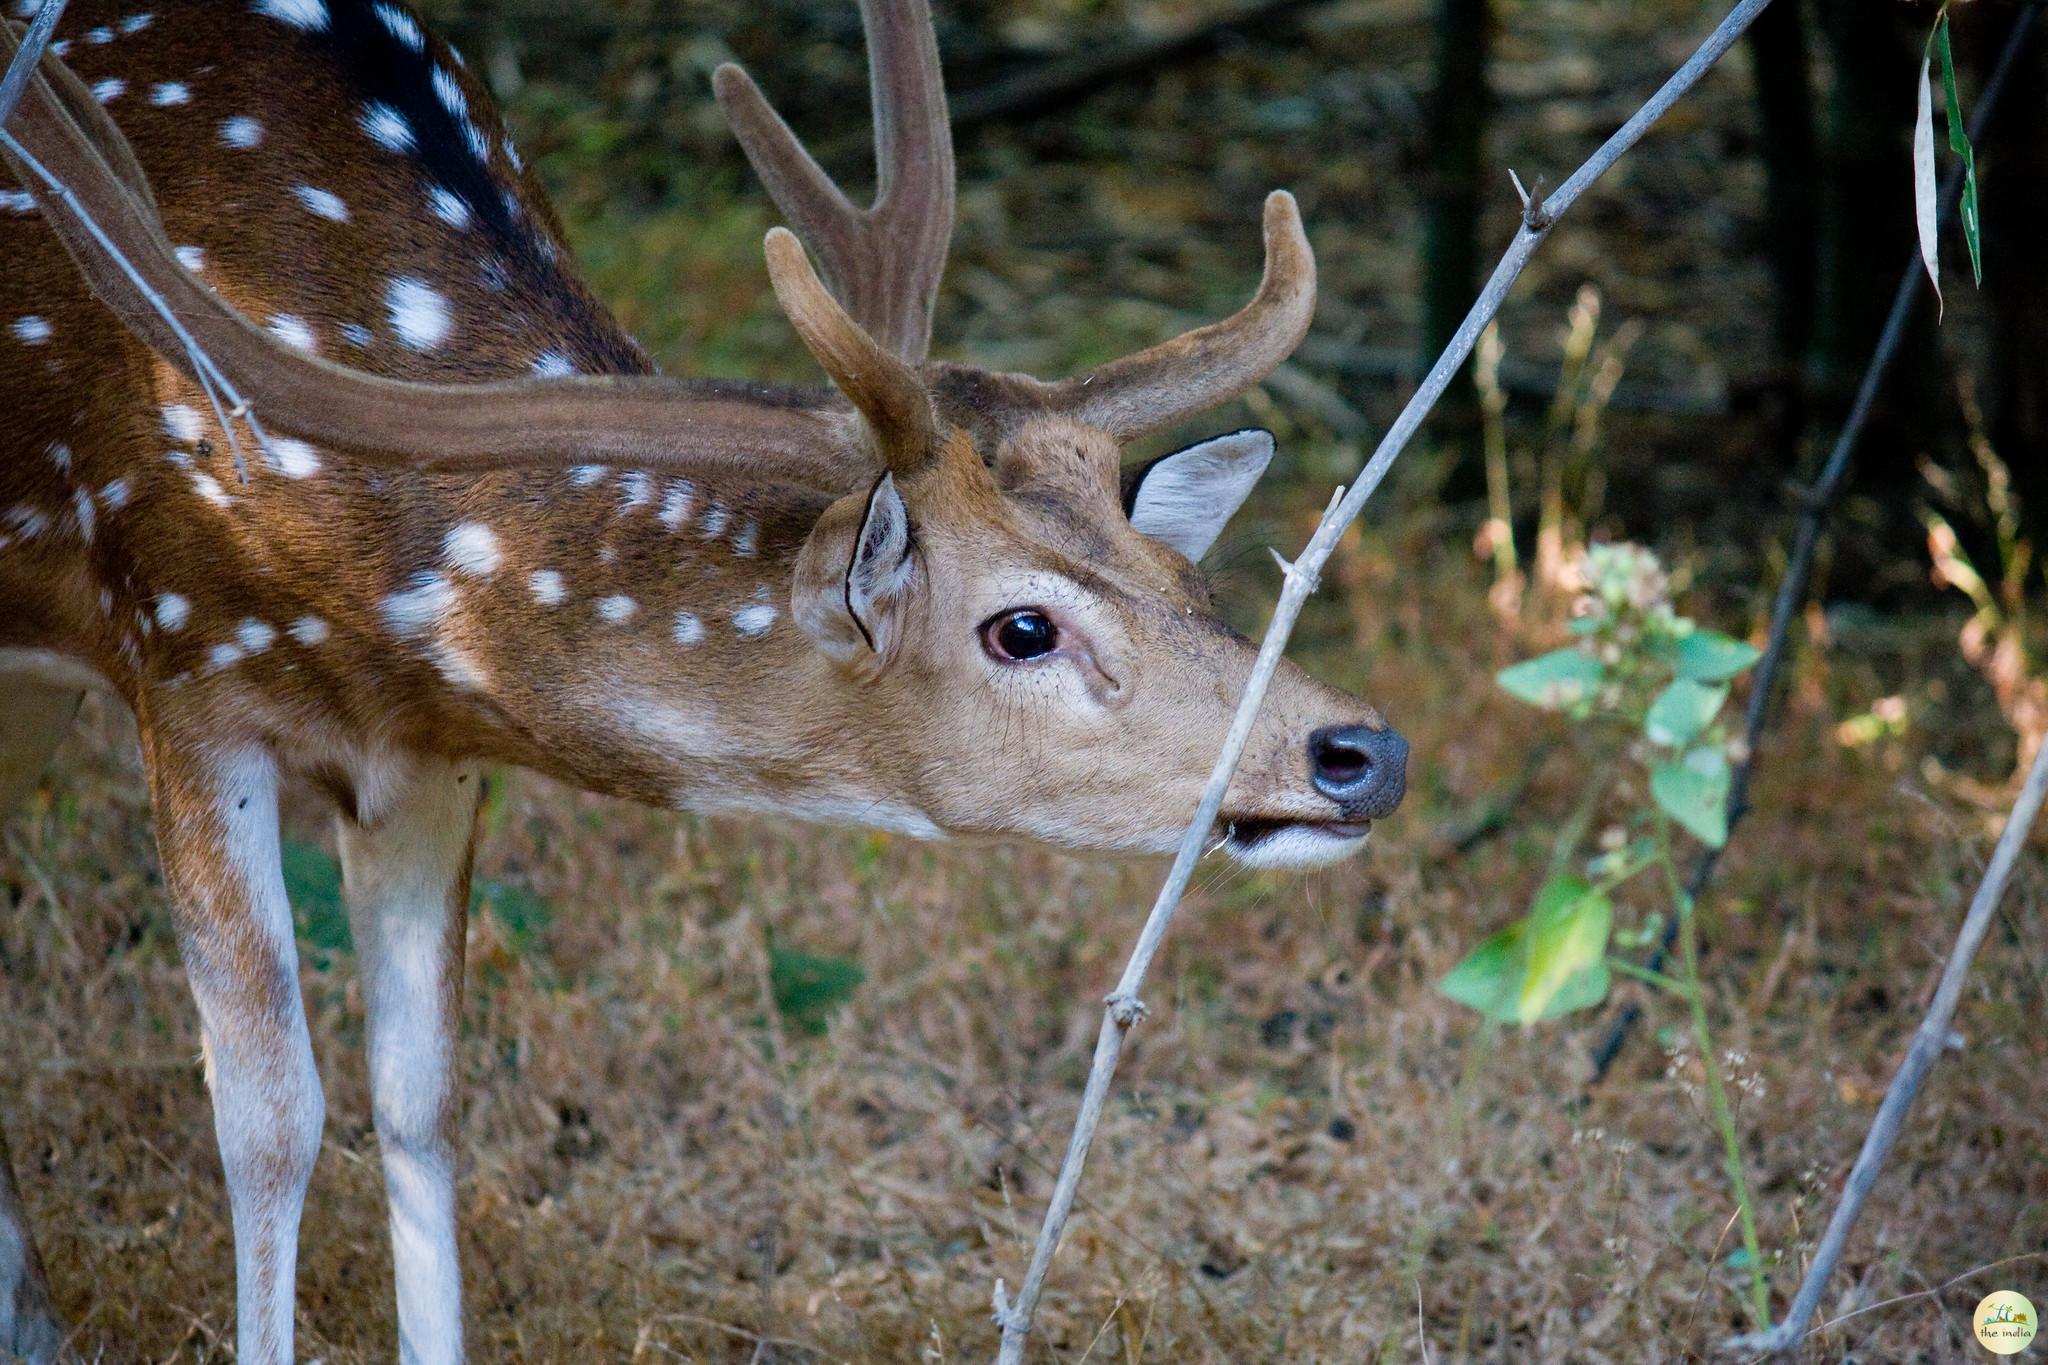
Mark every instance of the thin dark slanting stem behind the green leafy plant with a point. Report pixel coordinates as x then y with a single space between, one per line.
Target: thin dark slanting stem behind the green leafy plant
1816 504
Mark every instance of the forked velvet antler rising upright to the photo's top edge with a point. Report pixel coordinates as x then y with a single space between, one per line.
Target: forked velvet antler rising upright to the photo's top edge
886 261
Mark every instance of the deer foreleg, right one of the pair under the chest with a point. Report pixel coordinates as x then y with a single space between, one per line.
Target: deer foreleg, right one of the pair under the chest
409 901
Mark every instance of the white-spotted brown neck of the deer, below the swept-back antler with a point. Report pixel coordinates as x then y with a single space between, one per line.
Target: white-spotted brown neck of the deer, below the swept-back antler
626 631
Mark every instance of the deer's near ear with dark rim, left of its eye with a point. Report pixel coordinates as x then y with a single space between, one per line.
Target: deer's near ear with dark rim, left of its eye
855 574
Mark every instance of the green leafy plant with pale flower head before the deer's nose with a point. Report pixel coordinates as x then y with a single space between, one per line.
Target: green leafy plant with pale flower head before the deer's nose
1648 693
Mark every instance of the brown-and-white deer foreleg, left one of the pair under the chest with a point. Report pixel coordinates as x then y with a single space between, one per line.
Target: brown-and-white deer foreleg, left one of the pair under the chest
216 811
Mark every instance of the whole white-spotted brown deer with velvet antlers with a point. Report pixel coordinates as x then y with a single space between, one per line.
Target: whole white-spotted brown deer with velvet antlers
476 527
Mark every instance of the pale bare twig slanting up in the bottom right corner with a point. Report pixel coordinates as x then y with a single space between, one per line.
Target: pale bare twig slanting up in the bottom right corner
1928 1045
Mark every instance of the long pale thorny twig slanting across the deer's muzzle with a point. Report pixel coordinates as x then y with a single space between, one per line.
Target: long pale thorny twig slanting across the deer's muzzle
1123 1008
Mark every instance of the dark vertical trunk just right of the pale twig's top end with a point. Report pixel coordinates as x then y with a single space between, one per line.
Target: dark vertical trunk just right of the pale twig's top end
1791 214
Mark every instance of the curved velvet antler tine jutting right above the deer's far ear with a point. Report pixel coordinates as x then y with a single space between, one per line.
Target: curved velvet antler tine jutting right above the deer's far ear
1211 365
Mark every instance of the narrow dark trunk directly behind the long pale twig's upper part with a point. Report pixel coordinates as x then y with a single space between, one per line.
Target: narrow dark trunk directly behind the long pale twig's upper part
1459 107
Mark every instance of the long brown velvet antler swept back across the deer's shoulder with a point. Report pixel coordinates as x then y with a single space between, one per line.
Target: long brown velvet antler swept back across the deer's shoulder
95 197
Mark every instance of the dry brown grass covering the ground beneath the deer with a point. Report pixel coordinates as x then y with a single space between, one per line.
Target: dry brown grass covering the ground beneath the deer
1308 1147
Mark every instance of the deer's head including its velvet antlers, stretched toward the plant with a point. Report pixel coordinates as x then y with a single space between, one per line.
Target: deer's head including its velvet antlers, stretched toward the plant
982 623
